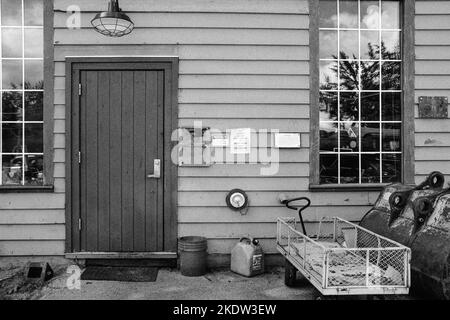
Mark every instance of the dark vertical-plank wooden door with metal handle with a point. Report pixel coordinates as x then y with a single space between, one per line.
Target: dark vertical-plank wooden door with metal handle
121 134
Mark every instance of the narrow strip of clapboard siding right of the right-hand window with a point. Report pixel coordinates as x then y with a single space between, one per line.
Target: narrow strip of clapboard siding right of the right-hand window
432 78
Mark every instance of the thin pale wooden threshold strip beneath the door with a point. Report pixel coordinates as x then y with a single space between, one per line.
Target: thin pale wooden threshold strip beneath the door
122 255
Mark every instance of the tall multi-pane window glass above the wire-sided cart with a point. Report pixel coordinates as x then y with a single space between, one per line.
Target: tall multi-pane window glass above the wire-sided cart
360 91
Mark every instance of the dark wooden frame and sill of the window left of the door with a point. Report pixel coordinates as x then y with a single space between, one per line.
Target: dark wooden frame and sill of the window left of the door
48 112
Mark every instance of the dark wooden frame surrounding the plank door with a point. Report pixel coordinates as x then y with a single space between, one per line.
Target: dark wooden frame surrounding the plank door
74 65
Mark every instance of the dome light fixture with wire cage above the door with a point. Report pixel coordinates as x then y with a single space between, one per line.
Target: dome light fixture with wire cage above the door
113 23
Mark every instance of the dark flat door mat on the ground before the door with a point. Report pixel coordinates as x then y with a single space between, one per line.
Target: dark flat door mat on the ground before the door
125 274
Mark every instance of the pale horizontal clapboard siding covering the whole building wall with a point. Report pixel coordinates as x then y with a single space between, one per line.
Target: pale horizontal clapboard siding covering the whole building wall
243 63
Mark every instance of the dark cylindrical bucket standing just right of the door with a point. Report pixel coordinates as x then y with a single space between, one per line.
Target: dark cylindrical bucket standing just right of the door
192 256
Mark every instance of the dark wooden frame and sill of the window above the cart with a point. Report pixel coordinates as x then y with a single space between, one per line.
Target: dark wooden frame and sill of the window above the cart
408 105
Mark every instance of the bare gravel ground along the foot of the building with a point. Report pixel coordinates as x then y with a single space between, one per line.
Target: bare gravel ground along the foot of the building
169 285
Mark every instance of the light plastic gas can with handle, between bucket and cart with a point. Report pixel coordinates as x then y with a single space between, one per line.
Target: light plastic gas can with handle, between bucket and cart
247 257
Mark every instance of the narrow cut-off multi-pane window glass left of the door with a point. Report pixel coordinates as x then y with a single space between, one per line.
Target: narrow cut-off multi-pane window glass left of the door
22 90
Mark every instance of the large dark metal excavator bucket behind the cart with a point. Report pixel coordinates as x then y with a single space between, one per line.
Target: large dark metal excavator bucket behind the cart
419 219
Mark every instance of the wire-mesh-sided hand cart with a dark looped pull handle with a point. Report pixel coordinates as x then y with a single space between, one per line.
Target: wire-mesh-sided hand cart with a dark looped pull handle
342 258
